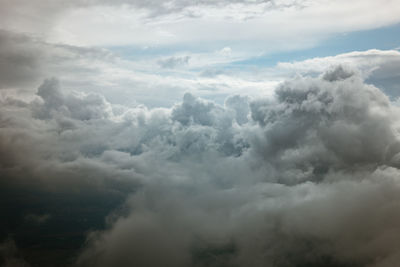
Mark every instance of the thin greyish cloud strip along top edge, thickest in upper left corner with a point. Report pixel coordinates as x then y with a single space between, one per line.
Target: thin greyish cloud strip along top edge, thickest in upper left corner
40 18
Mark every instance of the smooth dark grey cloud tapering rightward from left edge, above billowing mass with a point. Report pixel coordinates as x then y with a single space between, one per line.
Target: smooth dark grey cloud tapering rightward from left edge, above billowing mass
25 61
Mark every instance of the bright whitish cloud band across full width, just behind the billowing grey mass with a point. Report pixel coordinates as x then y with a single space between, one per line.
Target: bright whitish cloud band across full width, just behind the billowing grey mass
28 61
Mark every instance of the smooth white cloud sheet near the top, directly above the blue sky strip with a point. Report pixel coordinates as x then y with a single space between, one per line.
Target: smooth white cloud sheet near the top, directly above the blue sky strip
268 29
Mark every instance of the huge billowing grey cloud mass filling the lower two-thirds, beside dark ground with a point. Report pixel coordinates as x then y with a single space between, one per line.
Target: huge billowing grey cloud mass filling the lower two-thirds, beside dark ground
309 177
